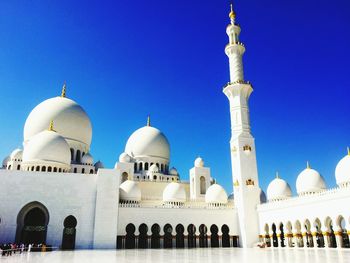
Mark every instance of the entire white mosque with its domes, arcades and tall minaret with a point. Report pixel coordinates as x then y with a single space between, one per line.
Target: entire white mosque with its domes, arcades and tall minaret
53 192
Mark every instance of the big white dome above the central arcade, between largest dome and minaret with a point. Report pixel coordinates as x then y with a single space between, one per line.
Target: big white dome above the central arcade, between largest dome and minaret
148 142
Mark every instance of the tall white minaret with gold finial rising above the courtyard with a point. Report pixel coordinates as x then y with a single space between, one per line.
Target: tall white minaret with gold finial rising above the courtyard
243 157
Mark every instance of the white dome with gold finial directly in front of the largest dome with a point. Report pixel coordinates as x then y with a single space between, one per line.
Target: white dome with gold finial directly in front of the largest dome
47 146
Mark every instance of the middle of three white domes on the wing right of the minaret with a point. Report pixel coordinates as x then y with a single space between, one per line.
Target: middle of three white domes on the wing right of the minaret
309 181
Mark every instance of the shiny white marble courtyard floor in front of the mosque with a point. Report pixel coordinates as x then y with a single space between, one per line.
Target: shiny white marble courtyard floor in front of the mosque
220 255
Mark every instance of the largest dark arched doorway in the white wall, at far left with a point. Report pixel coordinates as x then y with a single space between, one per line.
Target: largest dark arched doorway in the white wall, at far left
32 221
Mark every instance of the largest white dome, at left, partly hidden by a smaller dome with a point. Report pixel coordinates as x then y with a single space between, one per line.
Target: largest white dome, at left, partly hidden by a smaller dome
71 121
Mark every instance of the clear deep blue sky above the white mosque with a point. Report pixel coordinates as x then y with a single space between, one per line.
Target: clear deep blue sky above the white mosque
123 60
